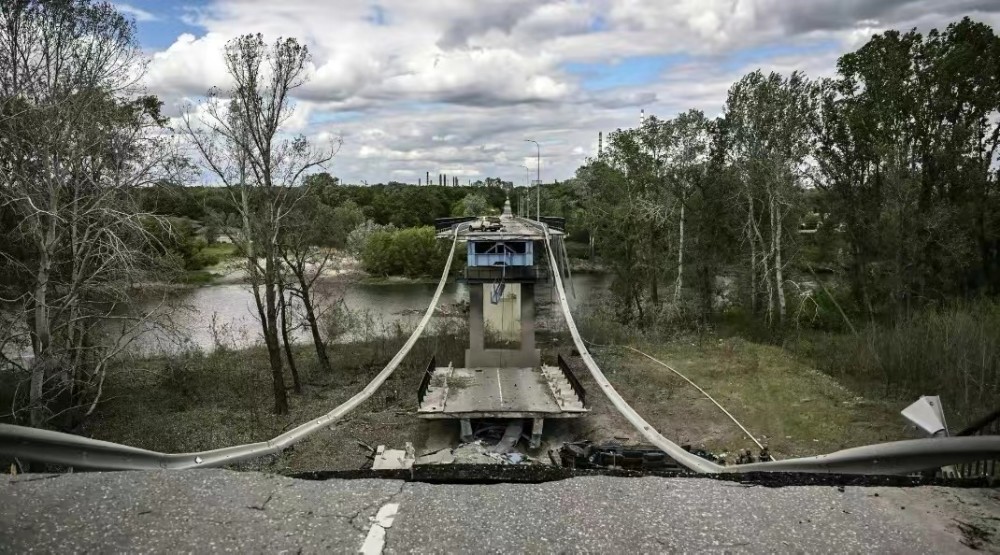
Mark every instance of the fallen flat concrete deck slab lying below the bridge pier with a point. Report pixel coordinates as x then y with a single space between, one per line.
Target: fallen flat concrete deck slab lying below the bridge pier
539 392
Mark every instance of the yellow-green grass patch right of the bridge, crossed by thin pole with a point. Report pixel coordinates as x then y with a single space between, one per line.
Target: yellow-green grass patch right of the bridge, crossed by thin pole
796 409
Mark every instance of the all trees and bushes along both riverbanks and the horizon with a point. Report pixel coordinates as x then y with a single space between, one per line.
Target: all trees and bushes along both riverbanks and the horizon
853 218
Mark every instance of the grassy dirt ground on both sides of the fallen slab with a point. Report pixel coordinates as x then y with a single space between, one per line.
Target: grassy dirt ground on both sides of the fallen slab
223 399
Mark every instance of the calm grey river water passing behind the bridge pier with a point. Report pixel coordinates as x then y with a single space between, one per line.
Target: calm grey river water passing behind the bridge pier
226 314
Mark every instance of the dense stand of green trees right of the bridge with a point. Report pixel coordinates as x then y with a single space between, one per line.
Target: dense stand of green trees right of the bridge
884 179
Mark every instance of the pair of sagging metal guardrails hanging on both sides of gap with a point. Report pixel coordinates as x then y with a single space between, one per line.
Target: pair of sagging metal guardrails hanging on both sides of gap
900 457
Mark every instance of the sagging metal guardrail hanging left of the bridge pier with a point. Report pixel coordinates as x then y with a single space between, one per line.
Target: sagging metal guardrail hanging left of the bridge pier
71 450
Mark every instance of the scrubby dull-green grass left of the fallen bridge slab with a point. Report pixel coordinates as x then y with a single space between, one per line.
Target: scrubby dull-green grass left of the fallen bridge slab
203 401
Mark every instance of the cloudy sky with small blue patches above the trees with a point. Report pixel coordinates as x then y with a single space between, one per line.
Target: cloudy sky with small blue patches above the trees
455 86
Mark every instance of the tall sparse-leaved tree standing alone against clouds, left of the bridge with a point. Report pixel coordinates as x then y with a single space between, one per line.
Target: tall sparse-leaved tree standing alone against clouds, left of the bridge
239 139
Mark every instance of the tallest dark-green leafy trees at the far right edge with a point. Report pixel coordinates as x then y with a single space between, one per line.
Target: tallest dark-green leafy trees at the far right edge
907 149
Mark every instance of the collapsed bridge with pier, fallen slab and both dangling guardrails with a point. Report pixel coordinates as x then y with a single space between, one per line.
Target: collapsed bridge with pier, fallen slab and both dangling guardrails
501 262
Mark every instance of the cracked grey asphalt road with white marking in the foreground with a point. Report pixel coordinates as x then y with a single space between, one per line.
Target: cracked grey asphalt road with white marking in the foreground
219 510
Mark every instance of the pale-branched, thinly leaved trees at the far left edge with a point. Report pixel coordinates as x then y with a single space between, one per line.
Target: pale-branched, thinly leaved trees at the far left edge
76 142
